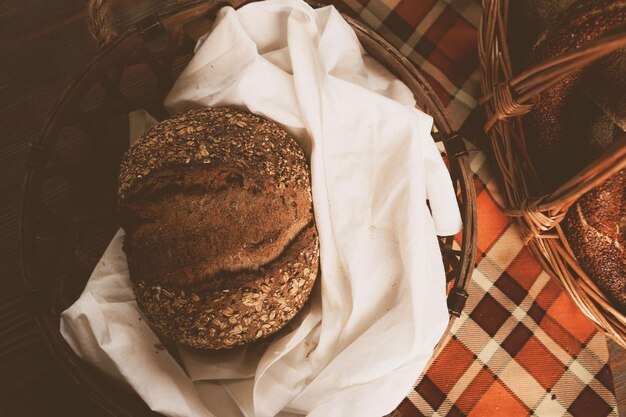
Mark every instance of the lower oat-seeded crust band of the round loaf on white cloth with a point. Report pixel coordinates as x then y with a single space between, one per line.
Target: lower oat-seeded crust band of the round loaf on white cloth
235 314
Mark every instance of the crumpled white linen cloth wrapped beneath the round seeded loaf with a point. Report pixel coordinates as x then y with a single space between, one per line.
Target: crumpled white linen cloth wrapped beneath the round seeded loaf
379 307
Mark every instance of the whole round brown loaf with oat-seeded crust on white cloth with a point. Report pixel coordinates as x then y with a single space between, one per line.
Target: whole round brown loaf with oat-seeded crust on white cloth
220 239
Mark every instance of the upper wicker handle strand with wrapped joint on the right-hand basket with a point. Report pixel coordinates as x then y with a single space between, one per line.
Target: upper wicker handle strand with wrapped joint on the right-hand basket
515 96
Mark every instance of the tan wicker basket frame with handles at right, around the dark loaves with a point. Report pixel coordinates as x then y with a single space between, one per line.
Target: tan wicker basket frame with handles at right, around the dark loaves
506 98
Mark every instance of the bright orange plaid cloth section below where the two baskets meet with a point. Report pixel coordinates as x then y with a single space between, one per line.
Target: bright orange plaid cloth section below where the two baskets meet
521 347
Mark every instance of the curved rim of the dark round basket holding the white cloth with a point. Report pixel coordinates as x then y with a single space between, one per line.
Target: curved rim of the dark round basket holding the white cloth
43 298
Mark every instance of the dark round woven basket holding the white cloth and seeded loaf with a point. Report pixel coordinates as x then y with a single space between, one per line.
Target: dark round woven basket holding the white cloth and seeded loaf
68 210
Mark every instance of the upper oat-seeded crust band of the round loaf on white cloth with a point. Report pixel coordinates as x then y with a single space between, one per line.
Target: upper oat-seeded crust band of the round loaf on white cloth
214 136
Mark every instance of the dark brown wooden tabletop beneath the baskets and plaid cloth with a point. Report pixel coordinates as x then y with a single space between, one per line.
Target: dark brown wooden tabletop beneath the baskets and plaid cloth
43 46
